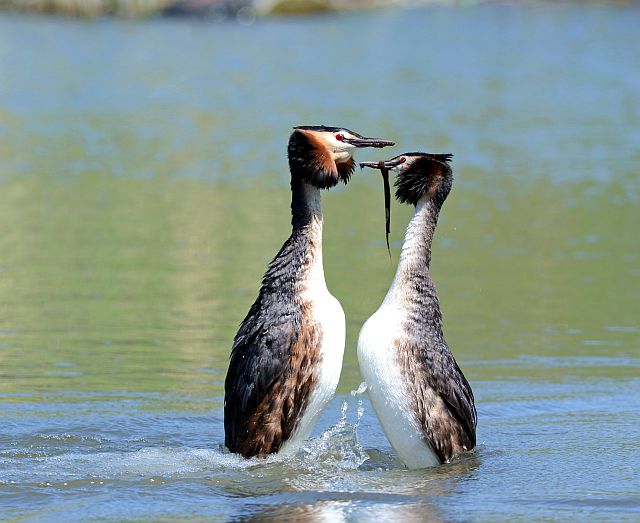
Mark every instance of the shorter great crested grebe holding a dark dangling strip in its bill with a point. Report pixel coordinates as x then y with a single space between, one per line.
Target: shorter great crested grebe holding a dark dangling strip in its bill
423 401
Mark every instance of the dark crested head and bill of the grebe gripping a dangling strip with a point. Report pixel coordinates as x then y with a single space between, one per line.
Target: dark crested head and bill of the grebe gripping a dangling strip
419 175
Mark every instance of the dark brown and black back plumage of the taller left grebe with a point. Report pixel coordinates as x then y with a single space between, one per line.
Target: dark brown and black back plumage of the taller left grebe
271 372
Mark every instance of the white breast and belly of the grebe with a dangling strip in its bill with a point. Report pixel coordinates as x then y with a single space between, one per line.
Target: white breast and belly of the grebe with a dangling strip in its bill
388 389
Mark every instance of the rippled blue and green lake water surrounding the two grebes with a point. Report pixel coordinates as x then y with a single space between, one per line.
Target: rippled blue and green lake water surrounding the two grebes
144 188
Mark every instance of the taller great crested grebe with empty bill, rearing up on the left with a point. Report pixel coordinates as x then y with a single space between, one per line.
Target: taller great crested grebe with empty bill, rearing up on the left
287 355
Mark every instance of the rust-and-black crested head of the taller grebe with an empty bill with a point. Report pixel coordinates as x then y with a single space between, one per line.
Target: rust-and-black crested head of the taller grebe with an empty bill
323 156
